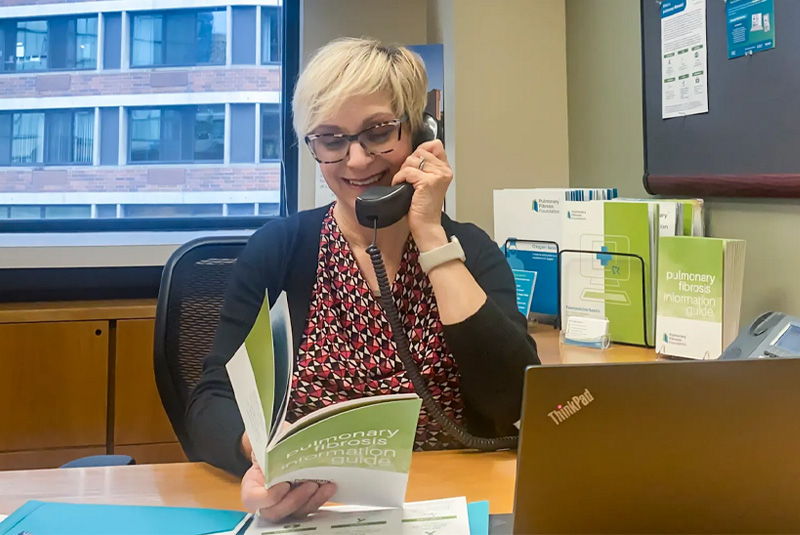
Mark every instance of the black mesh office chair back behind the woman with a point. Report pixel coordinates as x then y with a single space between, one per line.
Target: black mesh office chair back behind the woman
192 290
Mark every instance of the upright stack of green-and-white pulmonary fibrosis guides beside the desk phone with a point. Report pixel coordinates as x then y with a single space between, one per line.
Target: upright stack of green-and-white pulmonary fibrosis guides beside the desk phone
699 295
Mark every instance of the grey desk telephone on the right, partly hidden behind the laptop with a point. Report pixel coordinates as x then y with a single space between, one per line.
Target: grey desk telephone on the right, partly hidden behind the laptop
771 335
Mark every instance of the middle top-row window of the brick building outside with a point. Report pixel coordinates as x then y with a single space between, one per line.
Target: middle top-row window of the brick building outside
178 38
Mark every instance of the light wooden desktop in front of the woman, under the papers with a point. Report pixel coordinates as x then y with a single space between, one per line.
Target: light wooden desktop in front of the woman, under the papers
441 474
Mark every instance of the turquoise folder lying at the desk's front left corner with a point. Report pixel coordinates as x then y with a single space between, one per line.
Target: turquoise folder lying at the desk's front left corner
48 518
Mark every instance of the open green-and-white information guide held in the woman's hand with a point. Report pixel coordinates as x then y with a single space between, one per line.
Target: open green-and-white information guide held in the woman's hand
363 445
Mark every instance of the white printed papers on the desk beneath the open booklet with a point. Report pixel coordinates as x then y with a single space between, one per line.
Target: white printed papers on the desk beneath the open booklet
442 517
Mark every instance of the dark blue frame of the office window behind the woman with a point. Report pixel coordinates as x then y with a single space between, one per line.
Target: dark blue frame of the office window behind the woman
290 25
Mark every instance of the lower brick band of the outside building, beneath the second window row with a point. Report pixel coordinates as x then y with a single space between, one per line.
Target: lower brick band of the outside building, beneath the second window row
141 179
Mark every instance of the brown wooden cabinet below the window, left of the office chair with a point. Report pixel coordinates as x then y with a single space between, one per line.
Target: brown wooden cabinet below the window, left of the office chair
76 379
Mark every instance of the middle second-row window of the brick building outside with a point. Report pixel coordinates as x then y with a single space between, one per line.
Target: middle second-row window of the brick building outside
177 134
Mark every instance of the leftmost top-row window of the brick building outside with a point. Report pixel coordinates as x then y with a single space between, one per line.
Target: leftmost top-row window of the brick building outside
57 43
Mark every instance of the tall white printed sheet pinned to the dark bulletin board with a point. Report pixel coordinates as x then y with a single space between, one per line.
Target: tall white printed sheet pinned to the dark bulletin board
684 66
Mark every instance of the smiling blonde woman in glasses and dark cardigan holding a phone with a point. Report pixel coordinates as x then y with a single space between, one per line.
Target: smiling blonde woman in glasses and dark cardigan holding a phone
358 105
